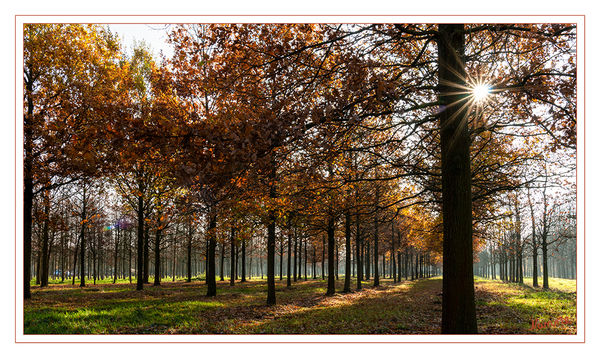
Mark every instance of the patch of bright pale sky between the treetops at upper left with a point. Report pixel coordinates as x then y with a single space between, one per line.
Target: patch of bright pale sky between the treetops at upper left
155 36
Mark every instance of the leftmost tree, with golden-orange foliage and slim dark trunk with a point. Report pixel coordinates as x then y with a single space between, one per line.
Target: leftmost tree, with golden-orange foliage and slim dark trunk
62 111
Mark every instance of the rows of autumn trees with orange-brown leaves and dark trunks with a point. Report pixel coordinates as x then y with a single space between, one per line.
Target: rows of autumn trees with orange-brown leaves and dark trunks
360 141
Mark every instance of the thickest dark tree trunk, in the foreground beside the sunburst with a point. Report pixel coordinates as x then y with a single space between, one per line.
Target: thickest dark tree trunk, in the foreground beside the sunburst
458 305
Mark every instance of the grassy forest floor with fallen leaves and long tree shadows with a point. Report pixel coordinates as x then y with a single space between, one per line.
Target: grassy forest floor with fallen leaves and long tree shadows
409 307
